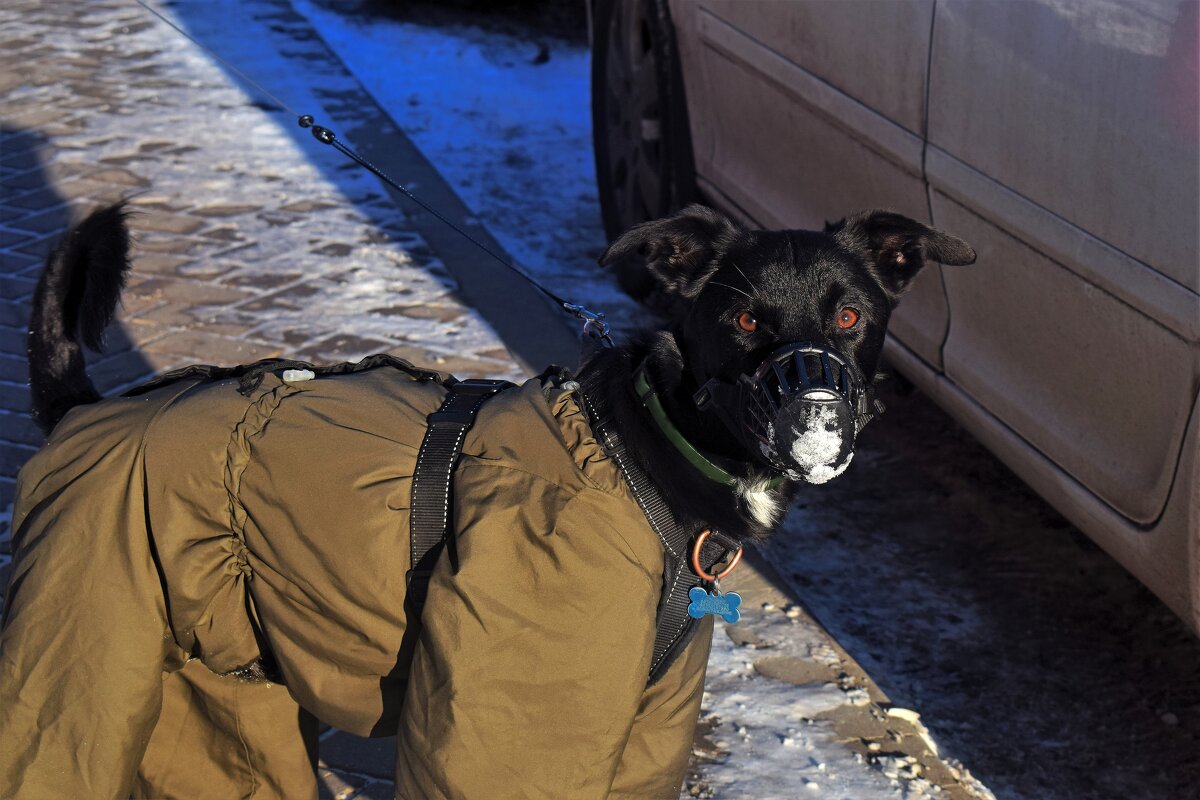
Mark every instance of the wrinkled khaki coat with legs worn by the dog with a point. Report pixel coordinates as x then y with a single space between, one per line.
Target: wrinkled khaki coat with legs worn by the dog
167 537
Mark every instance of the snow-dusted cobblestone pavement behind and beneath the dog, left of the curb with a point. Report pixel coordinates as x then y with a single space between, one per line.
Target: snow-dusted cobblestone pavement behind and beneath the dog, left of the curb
251 242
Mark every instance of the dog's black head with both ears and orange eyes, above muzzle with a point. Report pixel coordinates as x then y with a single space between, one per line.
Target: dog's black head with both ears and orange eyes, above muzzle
745 294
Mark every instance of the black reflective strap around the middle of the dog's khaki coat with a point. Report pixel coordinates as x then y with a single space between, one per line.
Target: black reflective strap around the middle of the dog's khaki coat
429 519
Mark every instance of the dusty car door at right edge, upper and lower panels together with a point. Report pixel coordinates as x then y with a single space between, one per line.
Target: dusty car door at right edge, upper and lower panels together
1083 346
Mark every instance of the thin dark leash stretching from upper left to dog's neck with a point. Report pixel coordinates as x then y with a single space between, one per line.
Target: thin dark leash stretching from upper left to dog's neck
595 324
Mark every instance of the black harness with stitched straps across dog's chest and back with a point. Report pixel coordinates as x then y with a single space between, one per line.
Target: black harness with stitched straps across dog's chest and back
431 530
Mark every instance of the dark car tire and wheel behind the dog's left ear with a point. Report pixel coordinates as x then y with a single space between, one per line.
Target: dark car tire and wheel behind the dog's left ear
645 167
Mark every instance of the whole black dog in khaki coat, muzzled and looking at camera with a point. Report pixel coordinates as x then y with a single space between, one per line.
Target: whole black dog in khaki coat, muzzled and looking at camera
213 521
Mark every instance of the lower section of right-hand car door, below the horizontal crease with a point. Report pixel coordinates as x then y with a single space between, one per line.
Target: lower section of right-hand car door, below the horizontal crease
1081 375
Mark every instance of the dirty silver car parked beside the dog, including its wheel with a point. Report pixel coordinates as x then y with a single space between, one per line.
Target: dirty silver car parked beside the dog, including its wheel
1059 137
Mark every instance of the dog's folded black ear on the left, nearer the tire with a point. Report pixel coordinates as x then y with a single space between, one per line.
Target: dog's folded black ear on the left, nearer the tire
682 251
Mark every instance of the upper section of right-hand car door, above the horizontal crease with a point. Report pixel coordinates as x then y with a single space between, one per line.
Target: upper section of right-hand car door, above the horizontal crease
1079 106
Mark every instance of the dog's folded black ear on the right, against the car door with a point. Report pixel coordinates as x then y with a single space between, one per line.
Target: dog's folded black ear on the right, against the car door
899 248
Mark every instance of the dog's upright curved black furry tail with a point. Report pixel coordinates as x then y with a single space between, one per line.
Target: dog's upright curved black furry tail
74 303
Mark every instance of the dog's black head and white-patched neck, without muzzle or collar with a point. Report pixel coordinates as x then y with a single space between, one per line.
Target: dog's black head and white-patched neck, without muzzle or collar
745 294
